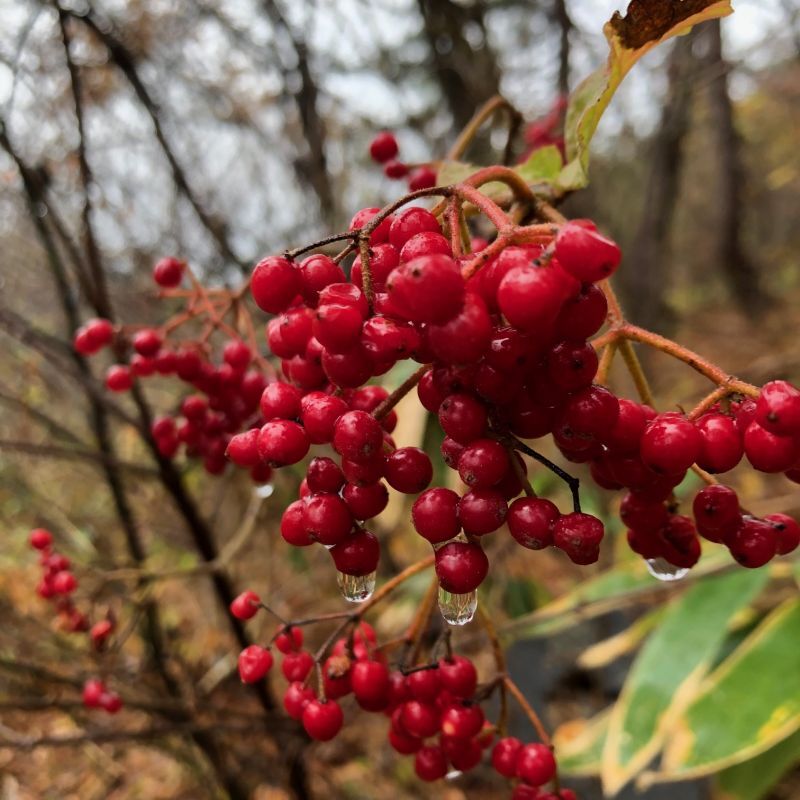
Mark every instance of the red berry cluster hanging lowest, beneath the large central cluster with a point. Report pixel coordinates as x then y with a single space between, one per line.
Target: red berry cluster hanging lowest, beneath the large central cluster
434 709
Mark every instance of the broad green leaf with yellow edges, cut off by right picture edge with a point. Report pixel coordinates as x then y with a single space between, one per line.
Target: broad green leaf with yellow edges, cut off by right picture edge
746 706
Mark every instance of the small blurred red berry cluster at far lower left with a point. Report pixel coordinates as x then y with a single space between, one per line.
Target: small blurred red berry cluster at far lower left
58 584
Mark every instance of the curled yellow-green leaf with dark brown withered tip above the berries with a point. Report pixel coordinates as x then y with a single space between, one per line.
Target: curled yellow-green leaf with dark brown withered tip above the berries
647 23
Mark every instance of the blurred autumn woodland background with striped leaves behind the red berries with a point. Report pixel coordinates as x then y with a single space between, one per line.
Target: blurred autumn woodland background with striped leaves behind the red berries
222 131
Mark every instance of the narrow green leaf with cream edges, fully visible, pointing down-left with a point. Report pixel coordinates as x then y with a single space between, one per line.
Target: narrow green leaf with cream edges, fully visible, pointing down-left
668 670
